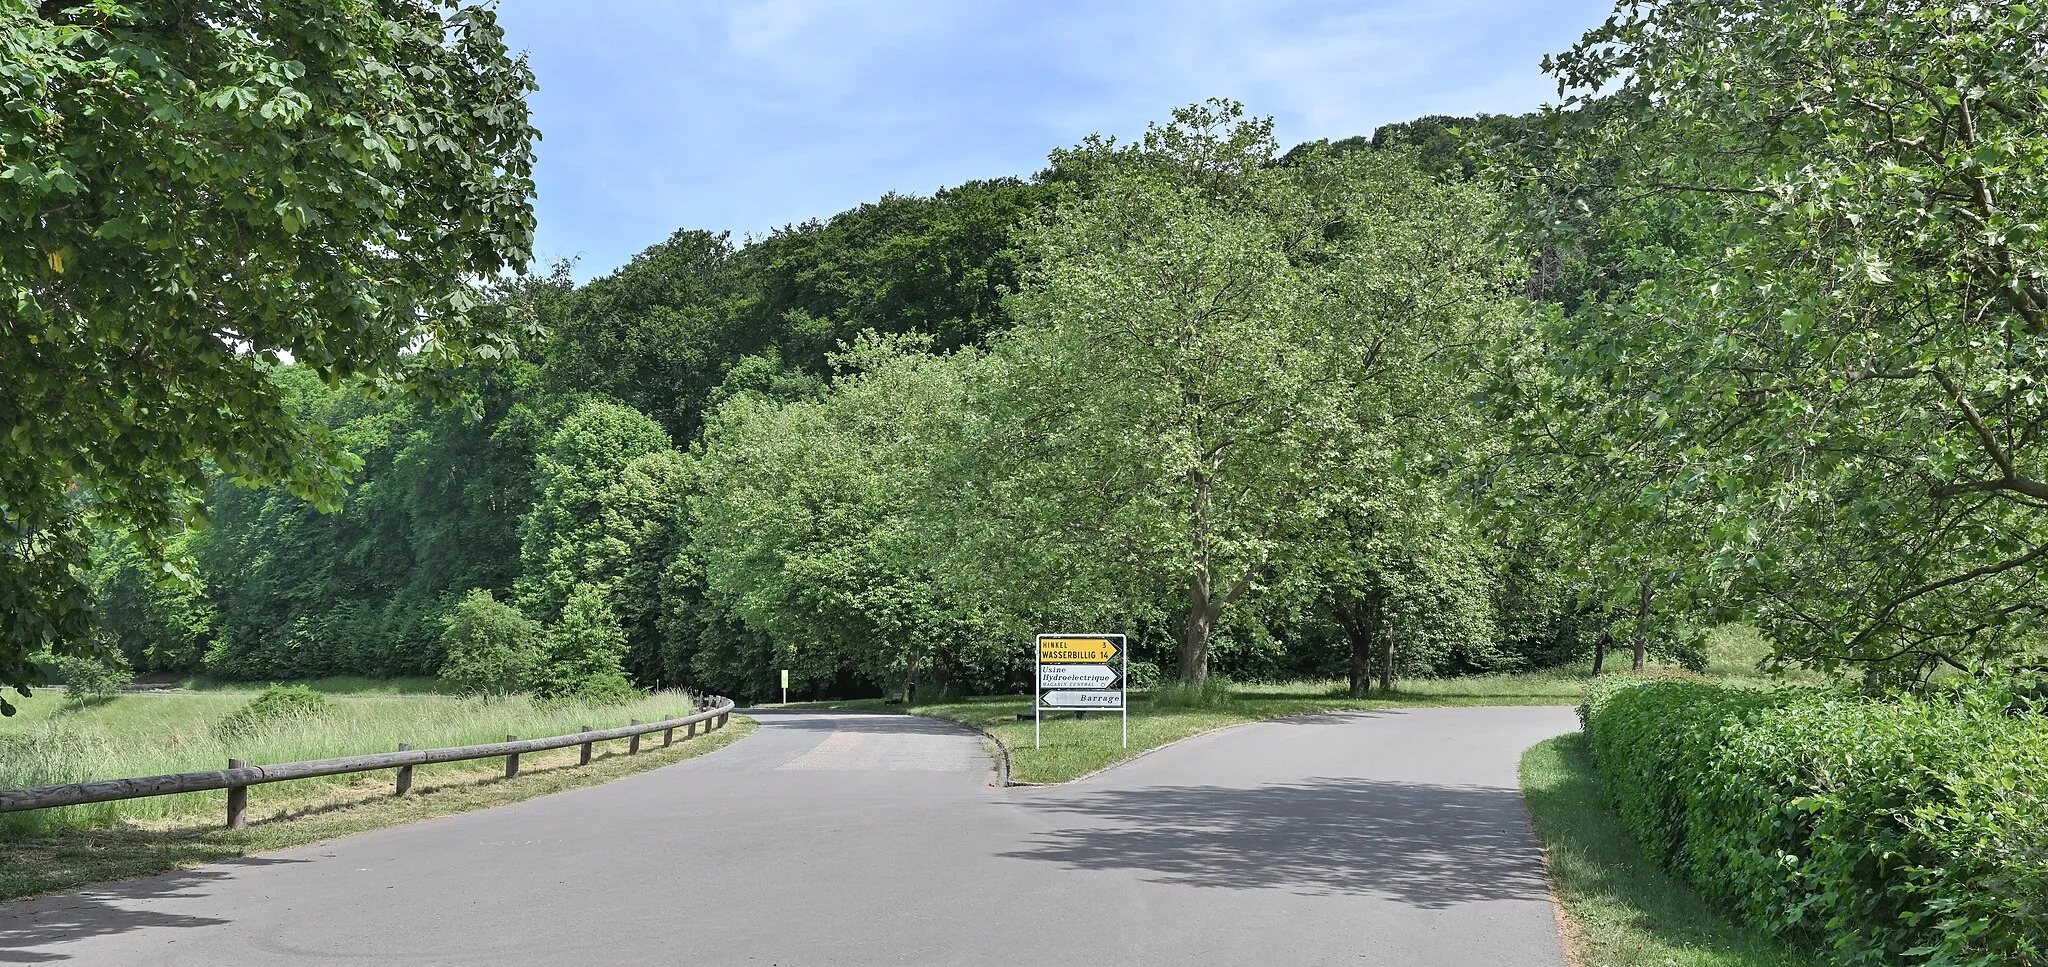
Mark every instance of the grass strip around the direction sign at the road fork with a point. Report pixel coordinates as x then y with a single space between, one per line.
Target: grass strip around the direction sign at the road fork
1074 749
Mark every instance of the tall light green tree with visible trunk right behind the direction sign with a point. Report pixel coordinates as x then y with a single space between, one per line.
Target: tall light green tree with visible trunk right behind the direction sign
1213 355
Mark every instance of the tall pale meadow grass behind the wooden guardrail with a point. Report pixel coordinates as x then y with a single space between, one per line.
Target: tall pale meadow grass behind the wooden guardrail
155 734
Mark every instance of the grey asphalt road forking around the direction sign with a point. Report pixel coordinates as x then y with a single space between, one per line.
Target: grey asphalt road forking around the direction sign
1361 839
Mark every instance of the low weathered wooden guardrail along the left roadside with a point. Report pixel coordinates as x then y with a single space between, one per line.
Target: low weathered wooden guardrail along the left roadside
241 775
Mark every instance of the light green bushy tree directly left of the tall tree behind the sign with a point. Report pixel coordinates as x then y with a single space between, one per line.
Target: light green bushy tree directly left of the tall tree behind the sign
818 528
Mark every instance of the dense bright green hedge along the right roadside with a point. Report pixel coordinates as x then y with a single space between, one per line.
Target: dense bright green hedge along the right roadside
1908 831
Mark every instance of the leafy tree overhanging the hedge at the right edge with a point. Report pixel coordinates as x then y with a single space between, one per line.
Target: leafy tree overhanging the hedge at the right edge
1842 378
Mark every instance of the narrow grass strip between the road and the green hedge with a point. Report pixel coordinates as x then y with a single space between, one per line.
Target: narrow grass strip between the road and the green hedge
1619 907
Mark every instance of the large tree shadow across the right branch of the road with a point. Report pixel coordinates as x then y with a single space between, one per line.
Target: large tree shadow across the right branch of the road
1424 845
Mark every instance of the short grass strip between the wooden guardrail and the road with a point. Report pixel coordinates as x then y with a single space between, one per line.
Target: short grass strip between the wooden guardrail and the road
296 814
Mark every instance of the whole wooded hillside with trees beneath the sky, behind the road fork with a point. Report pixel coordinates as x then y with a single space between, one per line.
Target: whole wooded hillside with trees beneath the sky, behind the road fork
826 450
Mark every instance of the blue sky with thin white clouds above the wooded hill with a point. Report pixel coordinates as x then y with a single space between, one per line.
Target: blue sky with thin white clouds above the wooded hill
746 116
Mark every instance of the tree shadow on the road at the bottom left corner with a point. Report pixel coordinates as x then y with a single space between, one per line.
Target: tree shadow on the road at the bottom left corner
32 931
